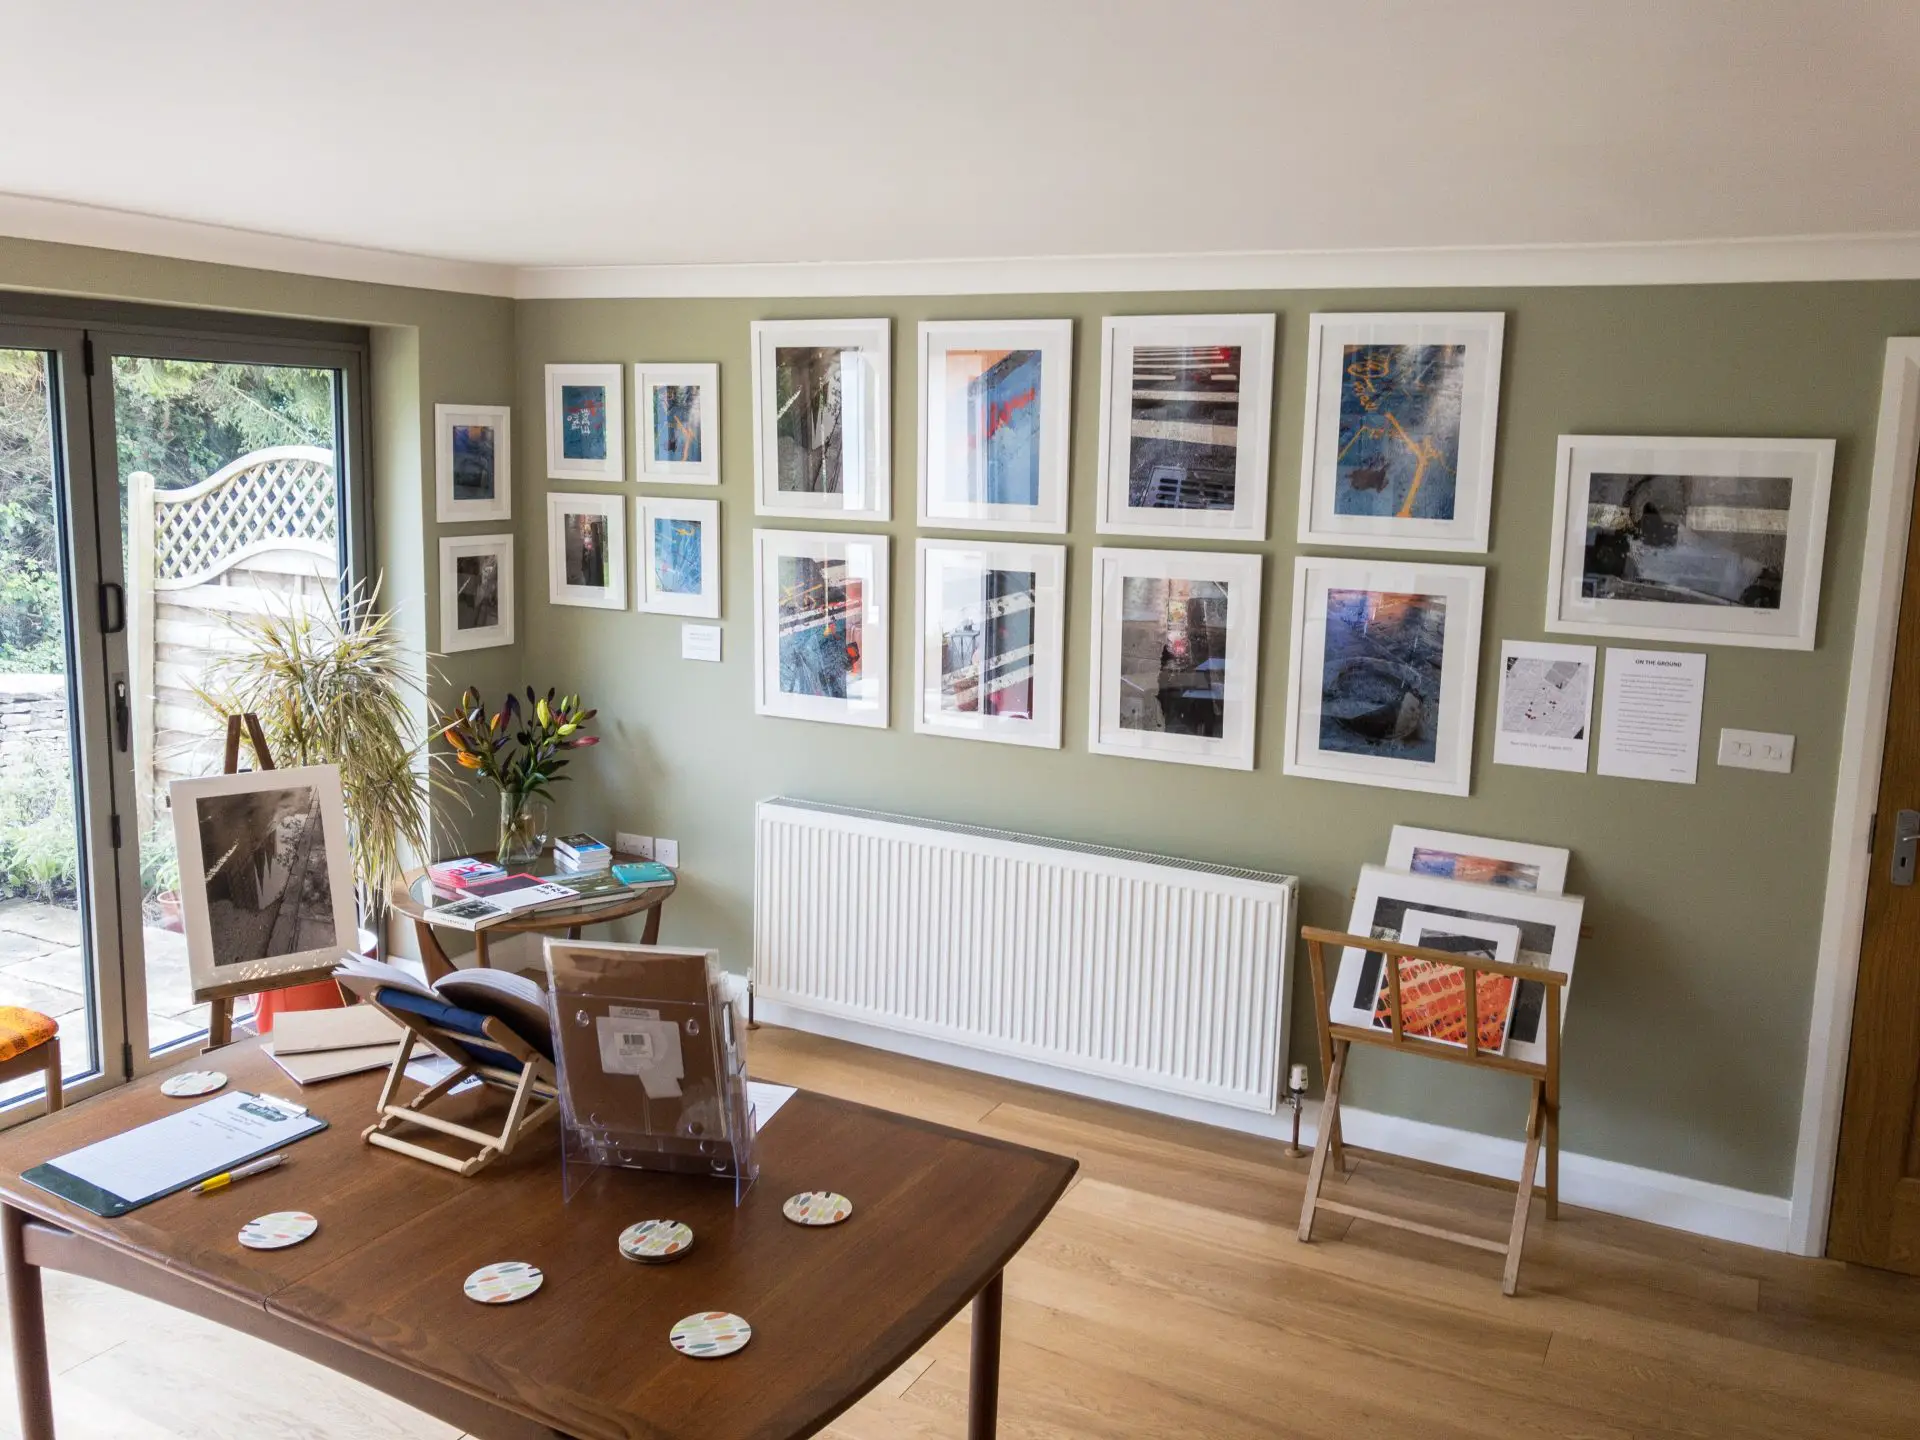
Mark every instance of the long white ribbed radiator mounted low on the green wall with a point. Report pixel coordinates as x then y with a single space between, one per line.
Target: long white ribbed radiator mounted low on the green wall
1159 974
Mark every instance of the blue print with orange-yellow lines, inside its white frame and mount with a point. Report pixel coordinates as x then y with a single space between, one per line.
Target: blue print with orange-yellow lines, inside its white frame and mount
1401 412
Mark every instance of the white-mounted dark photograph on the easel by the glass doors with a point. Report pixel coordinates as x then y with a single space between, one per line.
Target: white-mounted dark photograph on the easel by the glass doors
266 880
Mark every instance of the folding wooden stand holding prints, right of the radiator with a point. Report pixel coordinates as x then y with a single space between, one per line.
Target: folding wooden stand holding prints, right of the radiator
1335 1042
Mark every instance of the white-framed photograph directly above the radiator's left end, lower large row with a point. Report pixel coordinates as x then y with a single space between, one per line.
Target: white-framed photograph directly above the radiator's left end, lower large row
821 627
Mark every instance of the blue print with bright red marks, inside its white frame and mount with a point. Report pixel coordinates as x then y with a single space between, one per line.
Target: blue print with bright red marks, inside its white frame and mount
994 427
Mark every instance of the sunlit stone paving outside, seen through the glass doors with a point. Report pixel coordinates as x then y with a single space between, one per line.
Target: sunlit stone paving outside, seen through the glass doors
43 967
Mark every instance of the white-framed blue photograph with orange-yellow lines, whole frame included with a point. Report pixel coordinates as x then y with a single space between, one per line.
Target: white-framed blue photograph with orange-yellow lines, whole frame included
1401 425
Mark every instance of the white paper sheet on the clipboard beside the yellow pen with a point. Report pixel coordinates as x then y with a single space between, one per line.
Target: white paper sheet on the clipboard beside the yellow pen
185 1145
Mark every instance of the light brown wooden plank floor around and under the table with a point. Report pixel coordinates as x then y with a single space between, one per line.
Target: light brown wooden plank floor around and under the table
1168 1297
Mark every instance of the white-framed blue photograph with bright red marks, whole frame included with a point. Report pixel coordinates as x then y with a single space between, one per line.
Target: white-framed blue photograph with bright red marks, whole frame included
996 412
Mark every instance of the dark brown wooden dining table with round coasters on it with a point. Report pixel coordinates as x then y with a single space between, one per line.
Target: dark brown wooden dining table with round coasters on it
377 1293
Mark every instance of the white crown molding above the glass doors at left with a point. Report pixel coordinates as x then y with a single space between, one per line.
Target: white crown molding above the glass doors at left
28 218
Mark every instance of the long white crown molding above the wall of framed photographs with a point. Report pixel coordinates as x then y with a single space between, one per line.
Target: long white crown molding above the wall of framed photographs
1689 262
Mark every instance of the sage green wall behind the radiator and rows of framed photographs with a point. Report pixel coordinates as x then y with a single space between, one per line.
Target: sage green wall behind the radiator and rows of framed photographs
1689 1020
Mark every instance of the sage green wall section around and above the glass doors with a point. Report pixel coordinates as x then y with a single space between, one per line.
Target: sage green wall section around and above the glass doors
429 347
